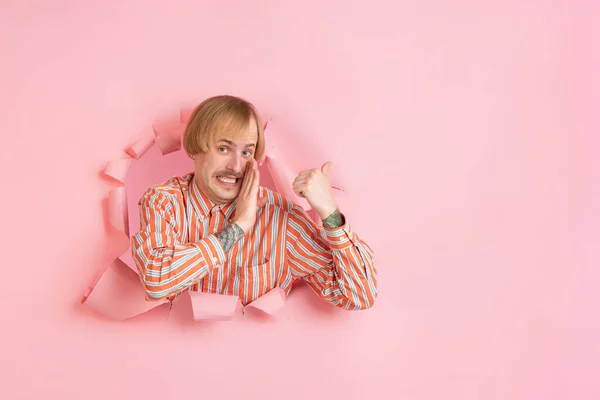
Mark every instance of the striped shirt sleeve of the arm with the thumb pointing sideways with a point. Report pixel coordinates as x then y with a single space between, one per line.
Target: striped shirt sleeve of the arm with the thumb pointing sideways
335 263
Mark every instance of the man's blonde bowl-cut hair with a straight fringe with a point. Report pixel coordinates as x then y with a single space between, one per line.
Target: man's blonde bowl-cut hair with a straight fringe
213 113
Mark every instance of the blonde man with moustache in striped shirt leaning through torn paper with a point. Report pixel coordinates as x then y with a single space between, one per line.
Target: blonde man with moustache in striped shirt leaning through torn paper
217 231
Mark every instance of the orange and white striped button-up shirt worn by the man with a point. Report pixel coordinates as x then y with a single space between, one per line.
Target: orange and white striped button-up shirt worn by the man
176 249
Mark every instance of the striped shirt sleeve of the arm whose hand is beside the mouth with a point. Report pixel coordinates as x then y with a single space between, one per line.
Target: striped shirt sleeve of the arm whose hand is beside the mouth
168 266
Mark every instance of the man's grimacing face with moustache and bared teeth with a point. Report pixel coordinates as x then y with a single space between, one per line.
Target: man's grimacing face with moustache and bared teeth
220 171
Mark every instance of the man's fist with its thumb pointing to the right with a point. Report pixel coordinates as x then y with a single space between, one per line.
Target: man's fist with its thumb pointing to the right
314 185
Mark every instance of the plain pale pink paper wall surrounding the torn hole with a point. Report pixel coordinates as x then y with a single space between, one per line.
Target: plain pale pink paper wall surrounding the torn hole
464 133
